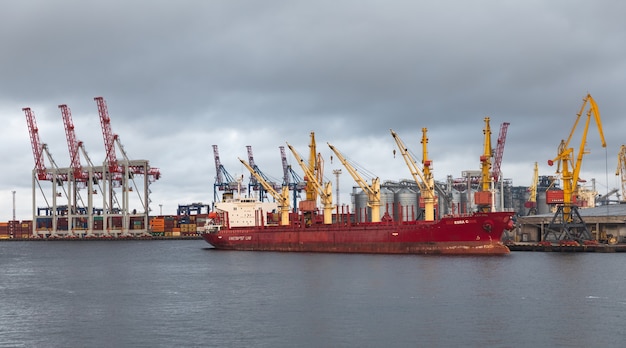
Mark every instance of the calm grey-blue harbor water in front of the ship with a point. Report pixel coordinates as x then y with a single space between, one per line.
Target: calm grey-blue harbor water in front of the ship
183 293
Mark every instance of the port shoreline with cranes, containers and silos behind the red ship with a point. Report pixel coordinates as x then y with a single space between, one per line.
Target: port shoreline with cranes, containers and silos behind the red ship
85 201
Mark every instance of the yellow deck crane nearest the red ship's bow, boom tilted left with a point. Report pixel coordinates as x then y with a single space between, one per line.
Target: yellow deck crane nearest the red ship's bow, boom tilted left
424 179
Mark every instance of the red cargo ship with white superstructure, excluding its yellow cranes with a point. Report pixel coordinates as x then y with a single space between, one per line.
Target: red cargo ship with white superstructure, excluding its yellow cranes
242 224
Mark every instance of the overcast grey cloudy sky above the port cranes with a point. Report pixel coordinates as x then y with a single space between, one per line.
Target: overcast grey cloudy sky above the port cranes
181 76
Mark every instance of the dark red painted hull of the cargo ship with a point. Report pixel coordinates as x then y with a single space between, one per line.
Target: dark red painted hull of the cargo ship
476 234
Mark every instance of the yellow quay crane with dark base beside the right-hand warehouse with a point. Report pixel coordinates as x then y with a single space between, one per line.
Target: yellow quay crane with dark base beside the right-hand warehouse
571 225
